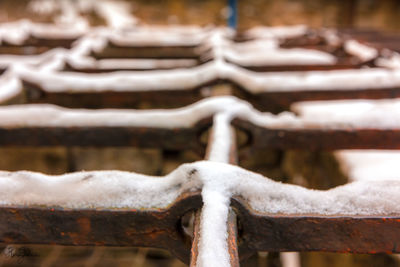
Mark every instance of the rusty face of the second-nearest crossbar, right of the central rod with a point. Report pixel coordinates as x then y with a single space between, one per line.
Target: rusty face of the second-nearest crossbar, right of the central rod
320 138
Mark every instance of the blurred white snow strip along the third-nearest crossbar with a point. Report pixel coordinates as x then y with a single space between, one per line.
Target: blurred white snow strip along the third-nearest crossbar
182 79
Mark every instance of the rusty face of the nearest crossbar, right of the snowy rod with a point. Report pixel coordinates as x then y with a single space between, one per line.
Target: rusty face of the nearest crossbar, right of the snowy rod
344 234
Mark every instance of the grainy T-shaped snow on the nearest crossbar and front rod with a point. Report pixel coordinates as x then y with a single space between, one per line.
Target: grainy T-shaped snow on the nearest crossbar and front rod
218 181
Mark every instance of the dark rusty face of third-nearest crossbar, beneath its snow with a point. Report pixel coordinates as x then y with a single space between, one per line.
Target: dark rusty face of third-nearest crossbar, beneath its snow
274 101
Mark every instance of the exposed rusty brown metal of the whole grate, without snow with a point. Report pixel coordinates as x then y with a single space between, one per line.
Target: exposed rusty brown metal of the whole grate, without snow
248 230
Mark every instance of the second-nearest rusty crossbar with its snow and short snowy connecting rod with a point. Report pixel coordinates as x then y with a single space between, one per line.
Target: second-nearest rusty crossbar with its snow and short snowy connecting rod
52 125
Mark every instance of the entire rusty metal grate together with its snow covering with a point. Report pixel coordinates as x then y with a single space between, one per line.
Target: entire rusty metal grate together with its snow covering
235 212
